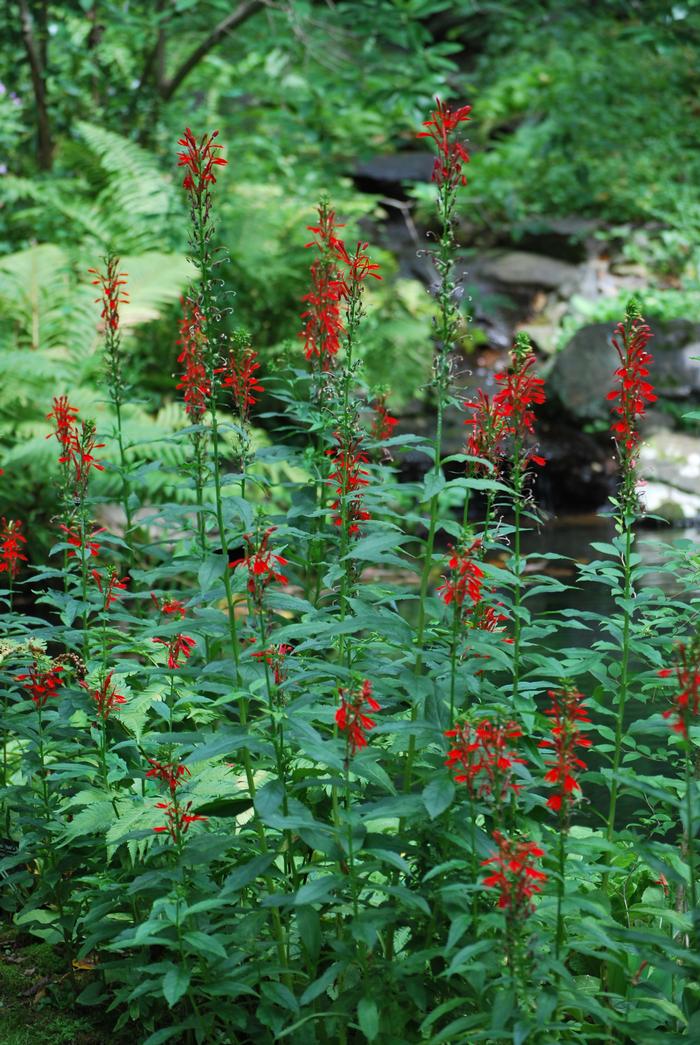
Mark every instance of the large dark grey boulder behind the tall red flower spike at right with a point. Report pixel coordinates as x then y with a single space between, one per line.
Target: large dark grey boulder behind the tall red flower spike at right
584 373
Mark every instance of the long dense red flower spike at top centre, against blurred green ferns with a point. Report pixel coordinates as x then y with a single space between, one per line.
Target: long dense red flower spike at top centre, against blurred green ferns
323 327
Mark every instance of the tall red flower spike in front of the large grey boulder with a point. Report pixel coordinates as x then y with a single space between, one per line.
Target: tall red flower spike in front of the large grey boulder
631 340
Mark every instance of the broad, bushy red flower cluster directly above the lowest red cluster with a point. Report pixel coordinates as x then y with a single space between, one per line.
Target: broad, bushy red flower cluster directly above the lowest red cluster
484 758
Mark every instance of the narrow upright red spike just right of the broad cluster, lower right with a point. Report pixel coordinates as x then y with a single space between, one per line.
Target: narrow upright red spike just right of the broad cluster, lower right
568 714
